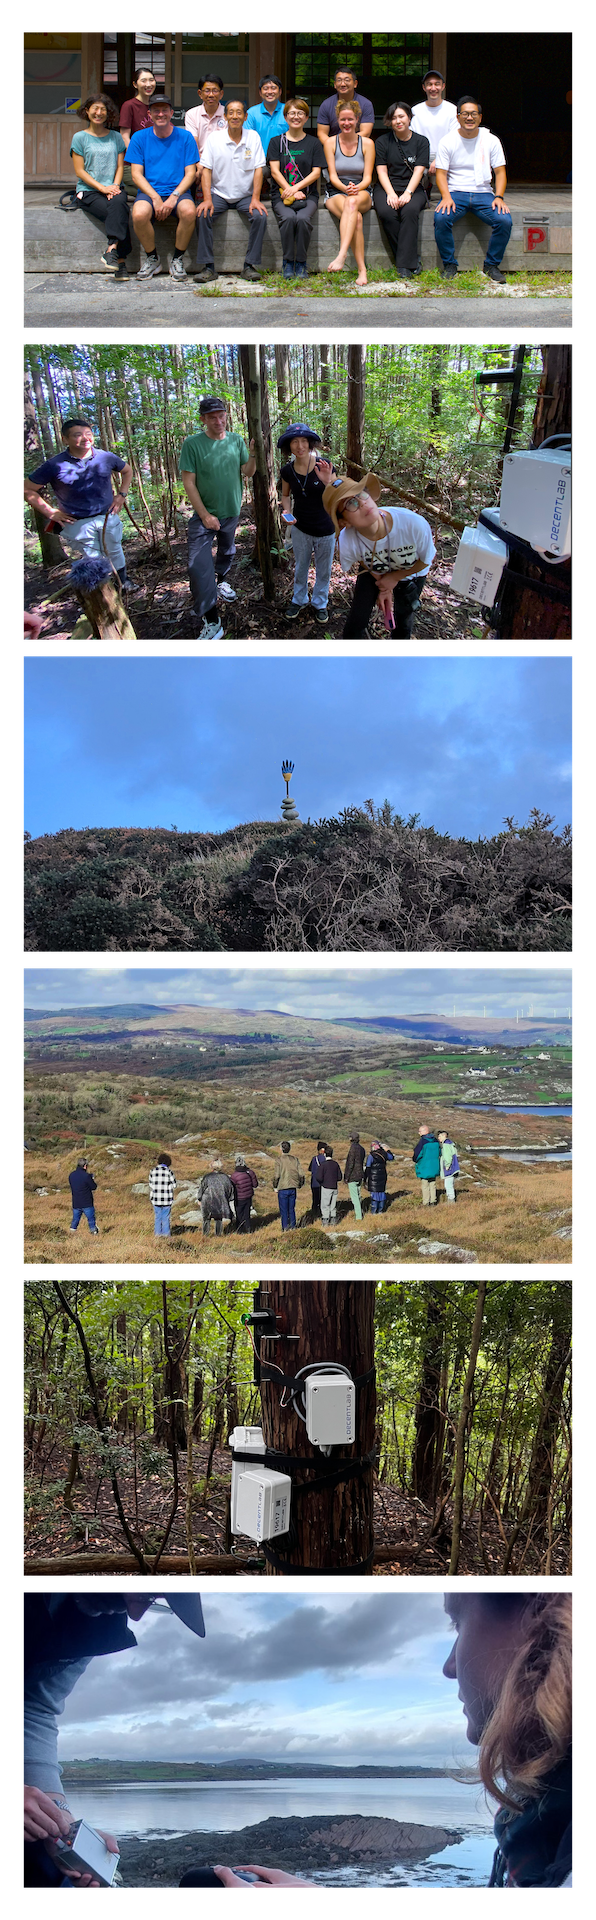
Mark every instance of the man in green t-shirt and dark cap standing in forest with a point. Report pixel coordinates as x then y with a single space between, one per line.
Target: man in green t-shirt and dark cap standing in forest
212 469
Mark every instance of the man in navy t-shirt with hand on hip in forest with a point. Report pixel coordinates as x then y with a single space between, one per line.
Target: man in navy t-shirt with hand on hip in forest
87 516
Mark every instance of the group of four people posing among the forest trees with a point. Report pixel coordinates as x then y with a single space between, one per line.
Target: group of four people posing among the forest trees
387 548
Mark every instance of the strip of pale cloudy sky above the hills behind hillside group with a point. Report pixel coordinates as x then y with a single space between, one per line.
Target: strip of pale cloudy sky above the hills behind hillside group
312 992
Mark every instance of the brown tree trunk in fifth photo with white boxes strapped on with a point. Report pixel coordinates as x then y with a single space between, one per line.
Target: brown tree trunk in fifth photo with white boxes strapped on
335 1320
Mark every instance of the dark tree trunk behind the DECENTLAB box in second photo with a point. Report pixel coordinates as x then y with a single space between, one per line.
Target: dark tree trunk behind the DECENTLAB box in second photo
526 615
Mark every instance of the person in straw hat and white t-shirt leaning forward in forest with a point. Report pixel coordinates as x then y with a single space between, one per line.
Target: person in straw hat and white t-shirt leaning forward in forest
391 550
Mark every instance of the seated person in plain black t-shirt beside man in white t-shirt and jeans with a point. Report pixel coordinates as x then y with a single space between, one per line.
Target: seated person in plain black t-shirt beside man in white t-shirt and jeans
403 158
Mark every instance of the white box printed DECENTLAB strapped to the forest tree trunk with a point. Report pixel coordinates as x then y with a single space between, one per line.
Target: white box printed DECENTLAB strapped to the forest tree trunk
535 500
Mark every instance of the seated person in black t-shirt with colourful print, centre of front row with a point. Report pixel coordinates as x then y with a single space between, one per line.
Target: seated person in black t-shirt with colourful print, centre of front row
295 162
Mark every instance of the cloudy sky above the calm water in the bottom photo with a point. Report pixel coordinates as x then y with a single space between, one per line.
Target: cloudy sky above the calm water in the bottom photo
287 1677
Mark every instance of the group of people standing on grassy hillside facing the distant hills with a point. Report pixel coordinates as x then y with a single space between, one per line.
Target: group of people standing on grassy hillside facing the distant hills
228 1197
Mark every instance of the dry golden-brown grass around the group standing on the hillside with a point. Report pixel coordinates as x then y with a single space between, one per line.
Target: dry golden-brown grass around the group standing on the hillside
507 1214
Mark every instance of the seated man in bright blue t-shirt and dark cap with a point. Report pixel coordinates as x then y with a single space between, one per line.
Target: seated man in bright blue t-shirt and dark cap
164 170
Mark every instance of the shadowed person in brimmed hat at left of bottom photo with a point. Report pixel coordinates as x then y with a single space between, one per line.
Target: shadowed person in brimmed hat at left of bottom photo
62 1635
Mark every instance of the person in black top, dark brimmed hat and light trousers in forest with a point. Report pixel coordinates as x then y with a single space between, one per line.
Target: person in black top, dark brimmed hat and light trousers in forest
310 527
